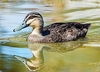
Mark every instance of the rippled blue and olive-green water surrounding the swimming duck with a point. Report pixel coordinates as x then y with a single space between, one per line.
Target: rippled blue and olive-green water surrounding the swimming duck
78 56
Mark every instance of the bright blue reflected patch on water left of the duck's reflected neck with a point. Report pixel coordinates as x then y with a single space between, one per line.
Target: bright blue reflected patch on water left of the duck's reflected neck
24 52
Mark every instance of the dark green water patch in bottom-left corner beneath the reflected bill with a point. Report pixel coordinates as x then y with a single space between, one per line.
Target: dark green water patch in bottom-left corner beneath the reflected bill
9 64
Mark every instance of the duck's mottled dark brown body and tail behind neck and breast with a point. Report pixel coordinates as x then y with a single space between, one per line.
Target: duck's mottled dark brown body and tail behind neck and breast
62 32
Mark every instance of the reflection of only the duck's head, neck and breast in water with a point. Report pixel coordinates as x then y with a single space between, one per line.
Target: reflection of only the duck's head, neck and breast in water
36 62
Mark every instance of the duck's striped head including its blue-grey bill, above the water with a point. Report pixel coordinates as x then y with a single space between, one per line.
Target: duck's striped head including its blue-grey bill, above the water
33 19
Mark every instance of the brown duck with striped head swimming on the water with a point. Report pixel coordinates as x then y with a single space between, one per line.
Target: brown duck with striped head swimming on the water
53 33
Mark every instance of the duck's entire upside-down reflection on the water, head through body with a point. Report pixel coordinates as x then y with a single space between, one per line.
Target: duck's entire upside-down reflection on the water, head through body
36 62
